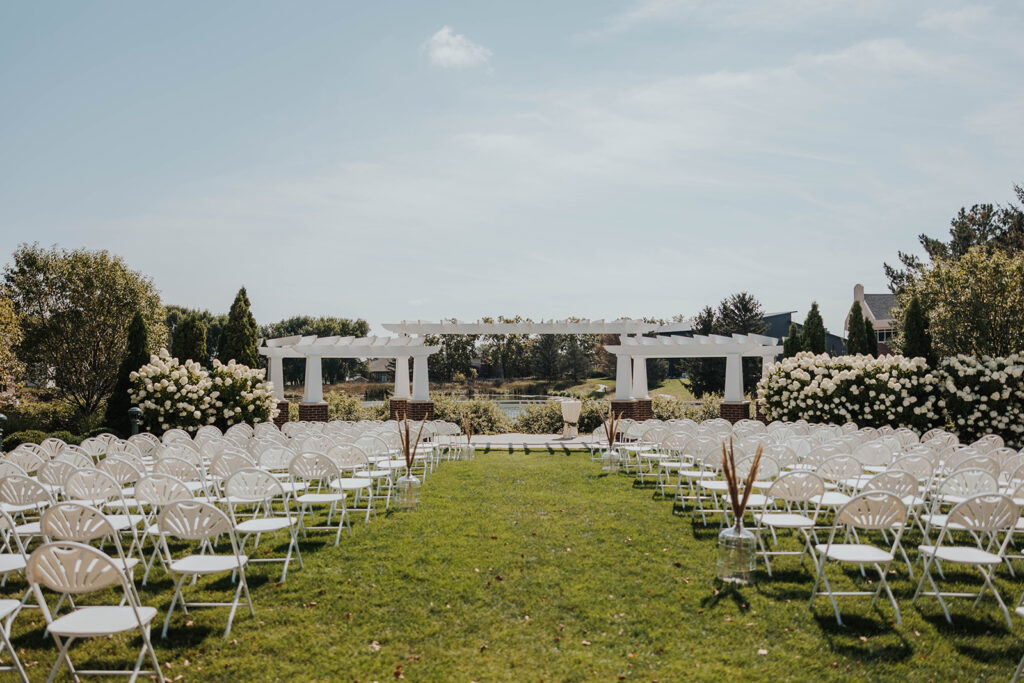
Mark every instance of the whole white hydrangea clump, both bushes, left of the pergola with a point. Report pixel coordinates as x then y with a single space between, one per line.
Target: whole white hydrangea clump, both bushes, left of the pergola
172 394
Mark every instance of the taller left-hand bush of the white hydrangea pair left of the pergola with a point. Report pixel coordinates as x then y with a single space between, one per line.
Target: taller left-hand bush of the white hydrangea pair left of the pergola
173 395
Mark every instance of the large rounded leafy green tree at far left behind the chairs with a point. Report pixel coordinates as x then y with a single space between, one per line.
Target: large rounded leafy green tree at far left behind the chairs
76 307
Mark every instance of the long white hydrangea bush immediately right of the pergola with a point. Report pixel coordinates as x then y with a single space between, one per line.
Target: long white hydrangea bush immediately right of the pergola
888 391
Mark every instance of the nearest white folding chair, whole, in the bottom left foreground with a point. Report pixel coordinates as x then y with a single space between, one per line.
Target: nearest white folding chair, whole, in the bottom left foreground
75 569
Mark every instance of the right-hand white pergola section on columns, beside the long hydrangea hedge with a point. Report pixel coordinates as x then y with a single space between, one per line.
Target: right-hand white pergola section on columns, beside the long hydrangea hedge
632 354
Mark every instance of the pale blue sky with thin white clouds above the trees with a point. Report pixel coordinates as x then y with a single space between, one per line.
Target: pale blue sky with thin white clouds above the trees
420 160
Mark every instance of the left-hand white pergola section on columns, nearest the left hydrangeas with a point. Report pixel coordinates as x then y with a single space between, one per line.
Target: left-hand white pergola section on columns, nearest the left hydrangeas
314 350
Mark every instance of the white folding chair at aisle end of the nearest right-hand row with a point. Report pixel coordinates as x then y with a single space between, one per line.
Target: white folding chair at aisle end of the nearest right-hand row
878 511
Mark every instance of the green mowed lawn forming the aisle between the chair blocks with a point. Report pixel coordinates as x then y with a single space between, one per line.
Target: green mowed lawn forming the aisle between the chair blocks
530 567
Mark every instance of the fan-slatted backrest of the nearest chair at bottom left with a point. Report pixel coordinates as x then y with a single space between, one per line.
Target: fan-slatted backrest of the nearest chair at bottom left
74 568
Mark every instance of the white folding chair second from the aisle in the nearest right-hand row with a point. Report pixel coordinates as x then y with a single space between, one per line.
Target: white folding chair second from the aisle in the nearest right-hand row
984 518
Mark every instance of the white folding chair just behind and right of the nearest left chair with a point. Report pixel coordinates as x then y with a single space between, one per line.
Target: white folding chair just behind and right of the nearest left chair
202 523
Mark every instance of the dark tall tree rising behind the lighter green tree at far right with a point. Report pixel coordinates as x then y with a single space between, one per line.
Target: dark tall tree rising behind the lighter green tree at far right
991 227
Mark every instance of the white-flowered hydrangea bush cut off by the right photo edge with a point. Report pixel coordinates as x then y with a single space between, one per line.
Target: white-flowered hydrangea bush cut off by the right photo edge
985 396
